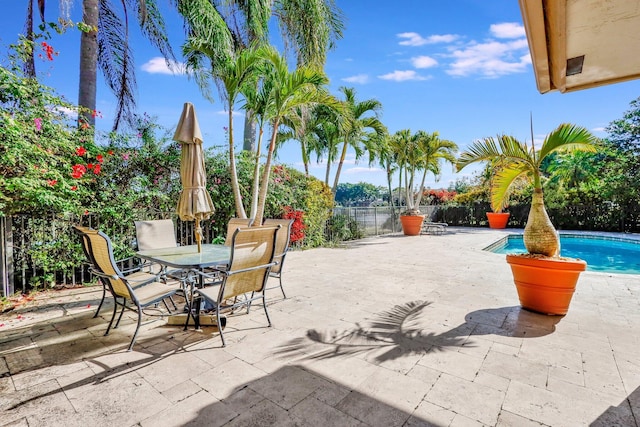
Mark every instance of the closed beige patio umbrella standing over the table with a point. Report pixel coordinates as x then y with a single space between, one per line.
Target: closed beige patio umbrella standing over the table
195 203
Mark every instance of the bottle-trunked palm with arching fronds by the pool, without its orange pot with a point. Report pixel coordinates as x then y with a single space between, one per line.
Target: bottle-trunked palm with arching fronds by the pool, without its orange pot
516 159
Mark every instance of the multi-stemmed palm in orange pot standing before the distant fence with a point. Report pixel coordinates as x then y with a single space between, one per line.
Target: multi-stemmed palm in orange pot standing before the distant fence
421 152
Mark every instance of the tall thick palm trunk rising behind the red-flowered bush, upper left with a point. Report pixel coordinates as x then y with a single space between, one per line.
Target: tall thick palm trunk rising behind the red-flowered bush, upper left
88 64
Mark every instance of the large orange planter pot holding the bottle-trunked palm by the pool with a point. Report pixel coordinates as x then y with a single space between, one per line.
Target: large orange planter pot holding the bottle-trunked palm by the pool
545 285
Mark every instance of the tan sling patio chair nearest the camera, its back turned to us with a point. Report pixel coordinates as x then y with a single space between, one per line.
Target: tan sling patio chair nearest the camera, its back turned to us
252 251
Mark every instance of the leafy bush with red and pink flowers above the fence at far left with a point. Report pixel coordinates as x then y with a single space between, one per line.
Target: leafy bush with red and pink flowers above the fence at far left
39 146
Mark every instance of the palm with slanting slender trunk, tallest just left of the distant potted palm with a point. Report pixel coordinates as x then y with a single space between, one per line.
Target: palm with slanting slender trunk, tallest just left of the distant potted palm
360 122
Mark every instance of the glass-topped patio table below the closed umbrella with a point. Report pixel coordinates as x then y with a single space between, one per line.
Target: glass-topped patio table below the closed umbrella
187 258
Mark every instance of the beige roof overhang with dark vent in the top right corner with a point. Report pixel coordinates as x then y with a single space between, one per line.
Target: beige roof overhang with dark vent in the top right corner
579 44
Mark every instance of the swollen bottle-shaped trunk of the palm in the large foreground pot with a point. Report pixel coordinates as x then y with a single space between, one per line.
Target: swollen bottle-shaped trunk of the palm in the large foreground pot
540 237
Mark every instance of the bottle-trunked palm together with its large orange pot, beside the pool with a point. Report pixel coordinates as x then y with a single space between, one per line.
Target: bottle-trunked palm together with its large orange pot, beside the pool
545 281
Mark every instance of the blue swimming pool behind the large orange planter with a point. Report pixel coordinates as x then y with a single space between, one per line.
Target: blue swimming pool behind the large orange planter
604 254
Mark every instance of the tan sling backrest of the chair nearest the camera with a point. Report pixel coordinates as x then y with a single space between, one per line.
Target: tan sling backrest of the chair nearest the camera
252 251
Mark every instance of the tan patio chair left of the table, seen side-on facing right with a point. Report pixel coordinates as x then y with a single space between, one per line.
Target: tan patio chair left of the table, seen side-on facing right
139 293
